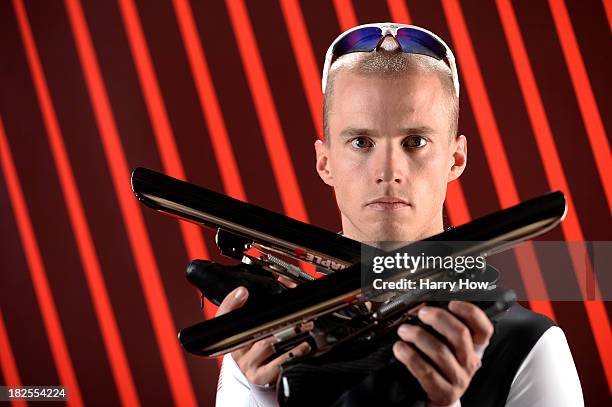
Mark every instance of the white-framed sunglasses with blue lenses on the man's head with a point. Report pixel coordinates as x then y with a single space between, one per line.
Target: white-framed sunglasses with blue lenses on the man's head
411 39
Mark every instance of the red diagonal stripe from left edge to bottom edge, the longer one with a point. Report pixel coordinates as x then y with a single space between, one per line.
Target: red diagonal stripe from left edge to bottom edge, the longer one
46 303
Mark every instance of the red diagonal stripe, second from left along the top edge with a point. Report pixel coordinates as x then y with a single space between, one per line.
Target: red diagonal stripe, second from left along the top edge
146 265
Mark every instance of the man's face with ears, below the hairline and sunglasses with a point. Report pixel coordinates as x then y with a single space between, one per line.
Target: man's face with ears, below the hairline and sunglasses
390 155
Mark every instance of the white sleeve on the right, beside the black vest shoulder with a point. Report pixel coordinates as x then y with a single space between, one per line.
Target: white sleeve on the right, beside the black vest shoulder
547 376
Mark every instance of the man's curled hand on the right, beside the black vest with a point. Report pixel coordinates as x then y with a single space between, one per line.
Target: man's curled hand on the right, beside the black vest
455 363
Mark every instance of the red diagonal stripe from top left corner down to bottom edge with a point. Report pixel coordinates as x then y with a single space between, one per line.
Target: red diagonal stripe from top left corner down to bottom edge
89 258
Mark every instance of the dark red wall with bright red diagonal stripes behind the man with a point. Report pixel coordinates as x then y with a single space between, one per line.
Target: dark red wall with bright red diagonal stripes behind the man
226 94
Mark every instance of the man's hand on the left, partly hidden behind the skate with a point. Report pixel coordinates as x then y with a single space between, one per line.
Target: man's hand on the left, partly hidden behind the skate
251 359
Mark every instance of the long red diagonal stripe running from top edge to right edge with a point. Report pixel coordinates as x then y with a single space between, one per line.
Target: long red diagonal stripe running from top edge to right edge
584 94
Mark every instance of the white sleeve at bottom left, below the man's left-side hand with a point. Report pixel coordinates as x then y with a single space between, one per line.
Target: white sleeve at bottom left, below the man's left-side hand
234 390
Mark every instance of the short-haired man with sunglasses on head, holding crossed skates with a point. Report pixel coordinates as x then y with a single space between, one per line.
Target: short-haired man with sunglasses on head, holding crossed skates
391 147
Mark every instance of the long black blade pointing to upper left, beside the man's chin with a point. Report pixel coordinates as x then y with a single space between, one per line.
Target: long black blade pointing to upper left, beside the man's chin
203 206
